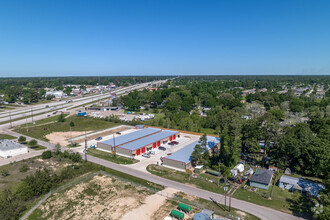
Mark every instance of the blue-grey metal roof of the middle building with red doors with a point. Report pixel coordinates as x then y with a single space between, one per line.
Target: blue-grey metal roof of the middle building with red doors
148 140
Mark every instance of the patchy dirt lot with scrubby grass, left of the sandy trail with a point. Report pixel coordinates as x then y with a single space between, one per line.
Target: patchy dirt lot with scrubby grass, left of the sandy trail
100 198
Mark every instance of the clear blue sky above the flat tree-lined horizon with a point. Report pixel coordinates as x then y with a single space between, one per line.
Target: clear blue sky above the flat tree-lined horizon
77 37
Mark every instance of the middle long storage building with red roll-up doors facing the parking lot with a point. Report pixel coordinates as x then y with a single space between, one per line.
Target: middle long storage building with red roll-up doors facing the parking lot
142 145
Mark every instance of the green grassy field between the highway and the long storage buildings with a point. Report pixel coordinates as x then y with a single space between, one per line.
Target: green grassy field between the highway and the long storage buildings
80 124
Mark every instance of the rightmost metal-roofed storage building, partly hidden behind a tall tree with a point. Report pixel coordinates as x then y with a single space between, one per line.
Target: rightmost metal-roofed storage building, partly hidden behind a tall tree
181 159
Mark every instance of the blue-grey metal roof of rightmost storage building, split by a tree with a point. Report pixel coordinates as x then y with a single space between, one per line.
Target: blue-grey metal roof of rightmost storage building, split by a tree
184 155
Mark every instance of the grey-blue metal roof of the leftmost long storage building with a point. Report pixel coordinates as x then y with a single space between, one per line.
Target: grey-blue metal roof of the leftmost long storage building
131 136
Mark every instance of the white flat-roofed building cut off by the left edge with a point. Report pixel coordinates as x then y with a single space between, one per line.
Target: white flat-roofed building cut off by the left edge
10 148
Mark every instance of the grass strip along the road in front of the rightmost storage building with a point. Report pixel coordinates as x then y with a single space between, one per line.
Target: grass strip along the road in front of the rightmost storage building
202 182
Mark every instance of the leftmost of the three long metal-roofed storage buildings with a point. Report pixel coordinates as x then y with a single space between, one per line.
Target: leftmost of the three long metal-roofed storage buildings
121 140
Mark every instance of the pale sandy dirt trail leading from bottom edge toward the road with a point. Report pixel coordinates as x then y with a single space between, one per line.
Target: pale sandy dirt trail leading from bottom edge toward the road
151 205
